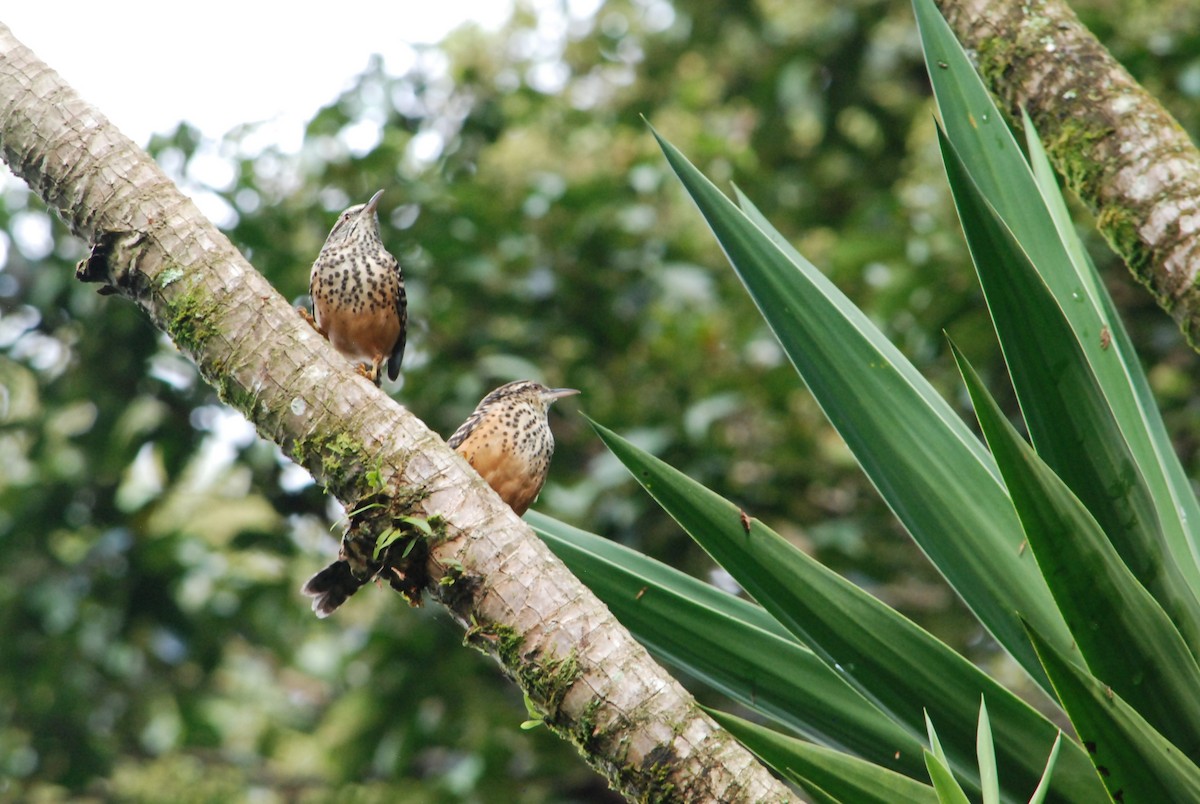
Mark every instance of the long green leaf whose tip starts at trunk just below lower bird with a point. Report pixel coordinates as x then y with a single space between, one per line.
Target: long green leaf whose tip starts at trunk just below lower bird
731 645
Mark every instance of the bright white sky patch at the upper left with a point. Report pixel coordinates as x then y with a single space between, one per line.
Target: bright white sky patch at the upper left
223 64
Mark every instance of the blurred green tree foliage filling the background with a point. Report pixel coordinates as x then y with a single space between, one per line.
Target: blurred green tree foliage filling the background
152 547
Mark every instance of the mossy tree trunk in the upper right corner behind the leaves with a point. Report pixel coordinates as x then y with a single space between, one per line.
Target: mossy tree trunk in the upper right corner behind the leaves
1123 154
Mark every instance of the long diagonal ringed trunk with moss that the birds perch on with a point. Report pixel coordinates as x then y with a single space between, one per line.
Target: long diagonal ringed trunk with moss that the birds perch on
592 682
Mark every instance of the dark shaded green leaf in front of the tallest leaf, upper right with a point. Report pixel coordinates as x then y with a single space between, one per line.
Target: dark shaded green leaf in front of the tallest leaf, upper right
1069 417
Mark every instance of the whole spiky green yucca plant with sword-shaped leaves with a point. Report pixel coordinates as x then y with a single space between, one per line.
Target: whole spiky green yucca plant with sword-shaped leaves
1077 554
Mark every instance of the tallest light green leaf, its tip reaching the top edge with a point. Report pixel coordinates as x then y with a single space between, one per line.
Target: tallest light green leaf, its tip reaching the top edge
979 133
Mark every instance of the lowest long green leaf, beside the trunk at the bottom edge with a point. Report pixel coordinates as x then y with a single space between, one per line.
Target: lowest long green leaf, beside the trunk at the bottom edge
836 775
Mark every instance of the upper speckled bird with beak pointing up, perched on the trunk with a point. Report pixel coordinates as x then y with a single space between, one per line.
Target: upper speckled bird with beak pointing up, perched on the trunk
358 295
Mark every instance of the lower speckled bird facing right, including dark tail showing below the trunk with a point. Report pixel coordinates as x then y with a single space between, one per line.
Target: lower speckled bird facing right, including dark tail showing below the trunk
507 441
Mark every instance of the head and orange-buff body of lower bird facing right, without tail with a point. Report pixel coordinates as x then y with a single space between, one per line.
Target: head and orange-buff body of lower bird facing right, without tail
508 440
